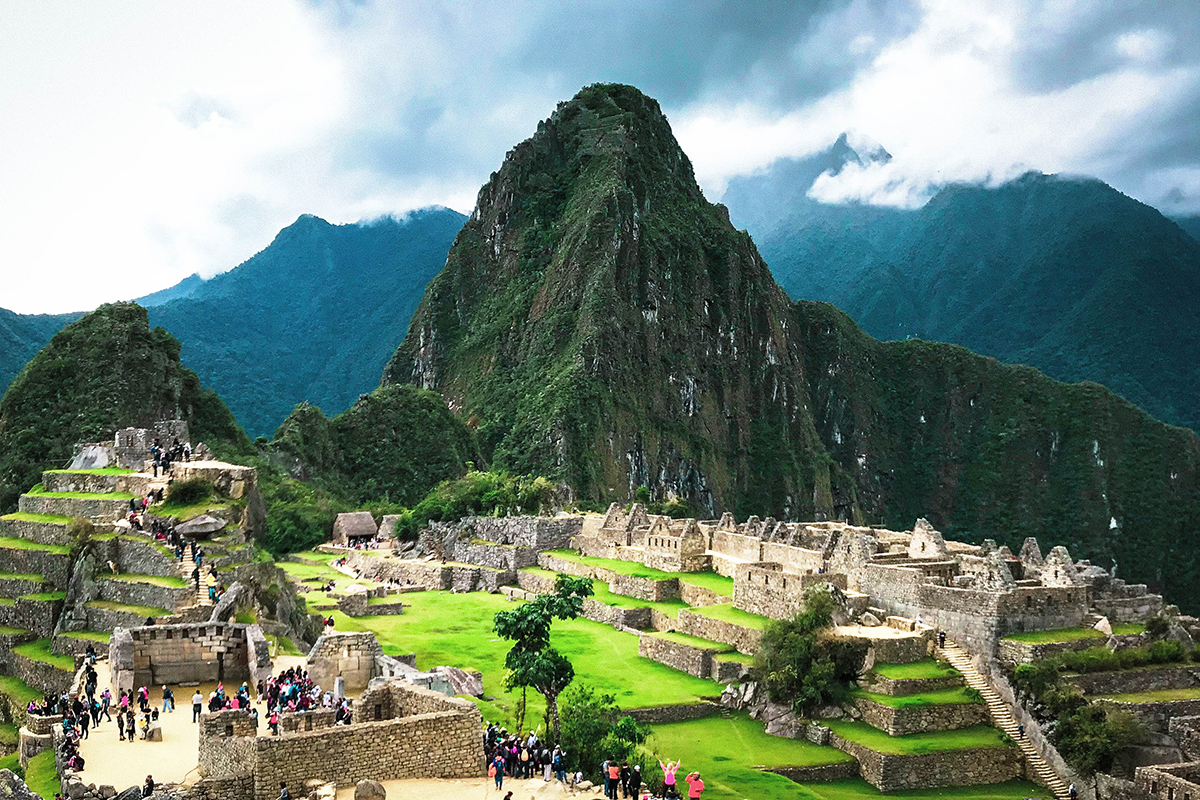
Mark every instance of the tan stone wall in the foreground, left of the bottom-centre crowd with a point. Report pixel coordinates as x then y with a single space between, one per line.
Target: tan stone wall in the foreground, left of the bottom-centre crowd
442 738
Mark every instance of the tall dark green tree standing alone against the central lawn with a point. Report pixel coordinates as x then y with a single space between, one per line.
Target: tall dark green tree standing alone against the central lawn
531 661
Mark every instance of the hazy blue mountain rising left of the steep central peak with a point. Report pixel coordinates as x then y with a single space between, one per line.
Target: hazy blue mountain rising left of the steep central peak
311 318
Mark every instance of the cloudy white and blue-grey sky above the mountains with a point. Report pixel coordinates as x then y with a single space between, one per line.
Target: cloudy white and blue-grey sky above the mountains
142 142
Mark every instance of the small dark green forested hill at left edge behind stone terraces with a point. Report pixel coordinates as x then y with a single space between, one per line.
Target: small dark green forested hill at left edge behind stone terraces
106 371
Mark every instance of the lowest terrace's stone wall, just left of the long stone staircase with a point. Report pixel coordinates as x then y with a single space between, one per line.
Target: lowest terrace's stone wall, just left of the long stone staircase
891 773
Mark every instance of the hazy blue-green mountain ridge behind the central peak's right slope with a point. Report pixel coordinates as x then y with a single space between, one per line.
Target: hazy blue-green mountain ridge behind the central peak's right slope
1067 275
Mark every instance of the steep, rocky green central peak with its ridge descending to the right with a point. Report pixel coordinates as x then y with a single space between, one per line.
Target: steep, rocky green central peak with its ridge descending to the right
602 323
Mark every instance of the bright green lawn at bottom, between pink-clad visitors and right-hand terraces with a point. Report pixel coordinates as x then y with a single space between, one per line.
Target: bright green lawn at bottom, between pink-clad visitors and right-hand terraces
729 751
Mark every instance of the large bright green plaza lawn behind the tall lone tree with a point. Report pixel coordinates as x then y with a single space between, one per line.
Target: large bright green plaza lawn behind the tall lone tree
457 630
